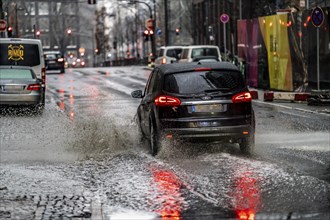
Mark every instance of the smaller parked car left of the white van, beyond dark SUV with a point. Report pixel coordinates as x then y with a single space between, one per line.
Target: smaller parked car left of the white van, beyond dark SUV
168 54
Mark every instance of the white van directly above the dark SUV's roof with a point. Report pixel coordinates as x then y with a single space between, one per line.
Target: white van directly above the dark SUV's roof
196 52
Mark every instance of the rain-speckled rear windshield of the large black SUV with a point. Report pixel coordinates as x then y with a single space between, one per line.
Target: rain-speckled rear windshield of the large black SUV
203 82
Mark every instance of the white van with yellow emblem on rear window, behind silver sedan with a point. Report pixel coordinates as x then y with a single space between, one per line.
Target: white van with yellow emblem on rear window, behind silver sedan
24 52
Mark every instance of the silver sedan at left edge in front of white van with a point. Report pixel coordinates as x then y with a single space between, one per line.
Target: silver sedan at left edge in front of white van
20 86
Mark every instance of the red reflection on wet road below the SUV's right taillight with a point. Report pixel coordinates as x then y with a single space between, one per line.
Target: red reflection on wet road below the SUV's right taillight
246 196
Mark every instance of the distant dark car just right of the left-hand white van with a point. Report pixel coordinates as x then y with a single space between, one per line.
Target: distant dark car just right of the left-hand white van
54 61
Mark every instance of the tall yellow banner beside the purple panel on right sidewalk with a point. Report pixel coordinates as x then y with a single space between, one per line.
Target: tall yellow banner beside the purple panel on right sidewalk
274 31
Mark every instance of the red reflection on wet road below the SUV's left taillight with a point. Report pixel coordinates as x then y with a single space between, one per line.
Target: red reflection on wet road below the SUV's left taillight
169 195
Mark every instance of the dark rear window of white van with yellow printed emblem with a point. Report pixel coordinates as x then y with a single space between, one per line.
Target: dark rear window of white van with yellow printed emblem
19 54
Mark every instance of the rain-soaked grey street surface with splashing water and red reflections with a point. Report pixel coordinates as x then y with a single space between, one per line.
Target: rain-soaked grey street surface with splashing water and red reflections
80 159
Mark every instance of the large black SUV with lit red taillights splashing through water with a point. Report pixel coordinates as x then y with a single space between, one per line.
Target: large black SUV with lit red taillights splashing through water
196 102
